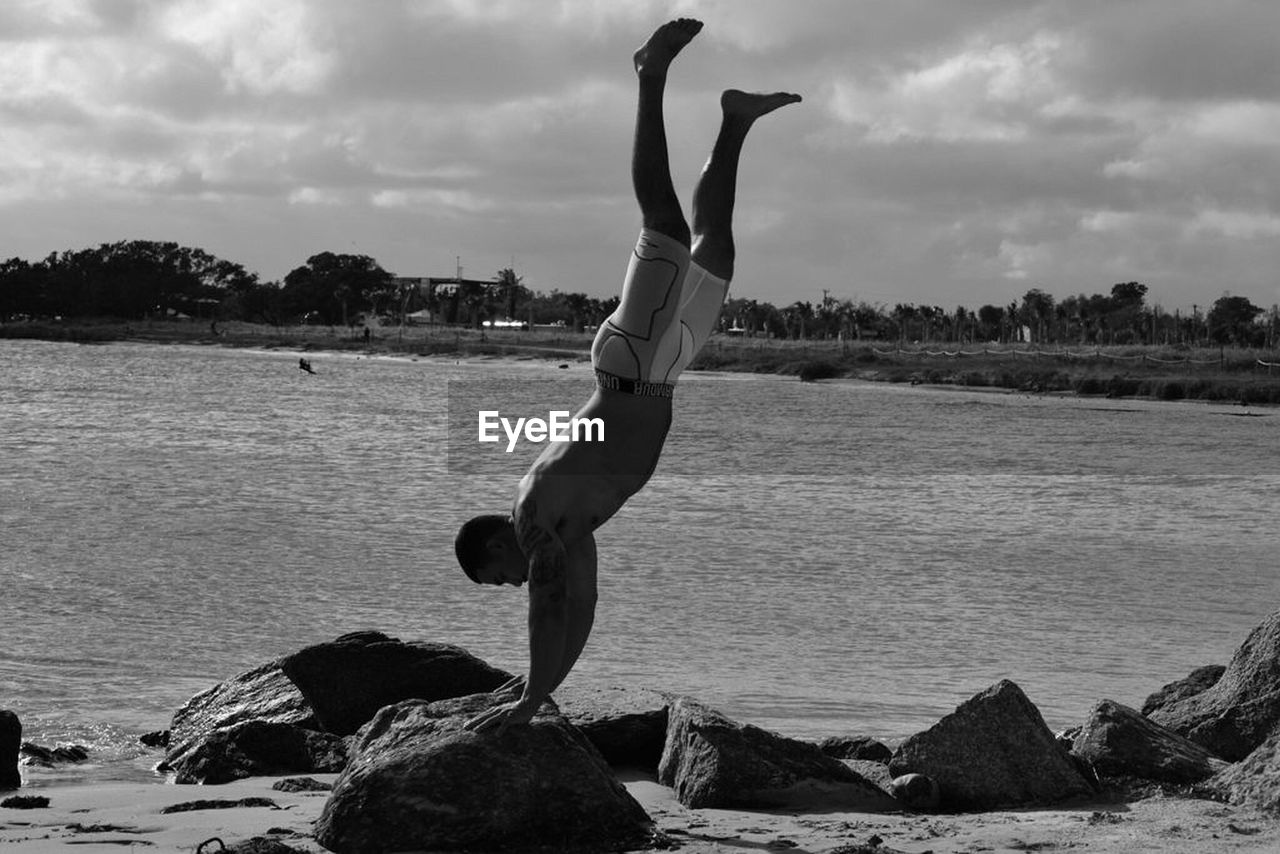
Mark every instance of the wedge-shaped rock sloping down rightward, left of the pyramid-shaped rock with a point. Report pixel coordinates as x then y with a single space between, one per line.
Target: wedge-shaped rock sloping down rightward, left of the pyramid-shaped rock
711 761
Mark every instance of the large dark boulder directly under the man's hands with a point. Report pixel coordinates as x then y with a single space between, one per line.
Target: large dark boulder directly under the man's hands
419 782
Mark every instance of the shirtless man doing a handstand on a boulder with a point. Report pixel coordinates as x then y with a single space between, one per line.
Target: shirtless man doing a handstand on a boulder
671 302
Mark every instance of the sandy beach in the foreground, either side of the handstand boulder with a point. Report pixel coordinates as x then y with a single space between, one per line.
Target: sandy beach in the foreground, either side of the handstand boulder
113 818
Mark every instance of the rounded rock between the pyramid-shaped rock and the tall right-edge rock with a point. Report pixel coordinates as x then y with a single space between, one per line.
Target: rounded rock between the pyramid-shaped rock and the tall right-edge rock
1119 742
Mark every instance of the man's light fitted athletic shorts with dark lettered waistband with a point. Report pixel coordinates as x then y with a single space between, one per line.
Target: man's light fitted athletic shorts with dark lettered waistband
669 310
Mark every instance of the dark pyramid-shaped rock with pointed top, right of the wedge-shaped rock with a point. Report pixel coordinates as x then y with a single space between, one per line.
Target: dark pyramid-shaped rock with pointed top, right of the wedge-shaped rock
994 751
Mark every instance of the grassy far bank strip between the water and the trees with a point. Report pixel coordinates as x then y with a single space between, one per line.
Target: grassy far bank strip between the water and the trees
1165 373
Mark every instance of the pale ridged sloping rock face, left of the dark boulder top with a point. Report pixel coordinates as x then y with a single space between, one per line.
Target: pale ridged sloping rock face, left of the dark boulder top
262 695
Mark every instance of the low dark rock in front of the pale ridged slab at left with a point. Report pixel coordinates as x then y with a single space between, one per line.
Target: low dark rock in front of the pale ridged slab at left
258 750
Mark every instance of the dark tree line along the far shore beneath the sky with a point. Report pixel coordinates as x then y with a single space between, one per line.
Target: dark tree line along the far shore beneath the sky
138 280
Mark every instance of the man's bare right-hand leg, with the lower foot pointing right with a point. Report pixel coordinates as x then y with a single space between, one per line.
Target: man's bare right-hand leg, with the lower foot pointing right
714 198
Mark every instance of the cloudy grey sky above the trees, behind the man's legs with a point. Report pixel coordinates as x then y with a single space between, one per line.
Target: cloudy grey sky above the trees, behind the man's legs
948 152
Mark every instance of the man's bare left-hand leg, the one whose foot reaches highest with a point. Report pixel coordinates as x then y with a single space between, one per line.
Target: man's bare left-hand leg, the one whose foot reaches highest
651 170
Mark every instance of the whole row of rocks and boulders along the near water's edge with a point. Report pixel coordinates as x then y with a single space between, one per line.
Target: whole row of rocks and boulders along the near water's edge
385 719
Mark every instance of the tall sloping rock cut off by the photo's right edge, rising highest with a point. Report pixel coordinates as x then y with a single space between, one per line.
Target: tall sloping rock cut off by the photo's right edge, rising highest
1244 707
